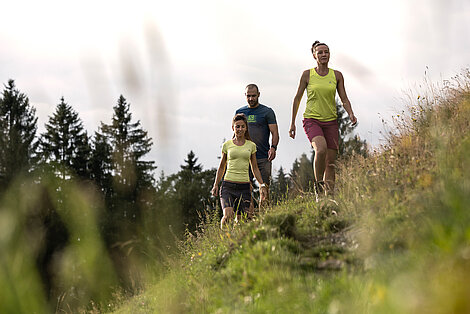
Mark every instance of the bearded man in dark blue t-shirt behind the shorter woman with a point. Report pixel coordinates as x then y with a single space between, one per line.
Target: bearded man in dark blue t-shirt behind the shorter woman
261 124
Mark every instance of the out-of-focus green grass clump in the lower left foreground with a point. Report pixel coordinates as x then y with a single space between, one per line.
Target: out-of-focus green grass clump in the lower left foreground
82 272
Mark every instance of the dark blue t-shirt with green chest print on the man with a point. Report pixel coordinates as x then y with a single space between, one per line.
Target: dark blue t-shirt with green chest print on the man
258 120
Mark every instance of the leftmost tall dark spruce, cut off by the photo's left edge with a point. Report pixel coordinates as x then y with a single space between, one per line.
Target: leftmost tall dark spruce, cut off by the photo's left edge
18 126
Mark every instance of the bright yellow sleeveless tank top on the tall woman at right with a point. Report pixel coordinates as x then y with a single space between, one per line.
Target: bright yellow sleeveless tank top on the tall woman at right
321 92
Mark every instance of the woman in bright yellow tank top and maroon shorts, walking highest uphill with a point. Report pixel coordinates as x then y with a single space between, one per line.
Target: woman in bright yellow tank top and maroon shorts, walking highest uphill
320 116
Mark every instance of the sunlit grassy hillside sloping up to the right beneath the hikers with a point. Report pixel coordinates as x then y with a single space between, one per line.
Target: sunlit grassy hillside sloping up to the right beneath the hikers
397 240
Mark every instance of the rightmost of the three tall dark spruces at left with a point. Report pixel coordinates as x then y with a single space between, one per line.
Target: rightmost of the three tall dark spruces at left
131 176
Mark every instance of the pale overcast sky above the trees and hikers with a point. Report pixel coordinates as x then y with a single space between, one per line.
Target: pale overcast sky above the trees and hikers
183 65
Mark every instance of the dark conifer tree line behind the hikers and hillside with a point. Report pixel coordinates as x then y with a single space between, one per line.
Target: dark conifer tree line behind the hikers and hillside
140 210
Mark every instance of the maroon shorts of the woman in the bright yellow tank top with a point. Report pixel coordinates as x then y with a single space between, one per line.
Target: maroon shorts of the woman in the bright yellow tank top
329 130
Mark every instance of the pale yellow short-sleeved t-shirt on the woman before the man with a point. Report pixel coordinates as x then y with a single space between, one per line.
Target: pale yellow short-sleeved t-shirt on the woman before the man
238 160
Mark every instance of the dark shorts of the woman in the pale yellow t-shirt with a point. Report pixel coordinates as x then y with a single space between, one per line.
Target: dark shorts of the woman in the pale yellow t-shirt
236 195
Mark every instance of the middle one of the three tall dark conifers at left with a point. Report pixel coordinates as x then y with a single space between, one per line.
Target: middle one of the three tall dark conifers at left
65 144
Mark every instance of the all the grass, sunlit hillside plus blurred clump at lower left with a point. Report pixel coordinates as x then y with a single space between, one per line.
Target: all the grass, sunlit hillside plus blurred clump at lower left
395 240
